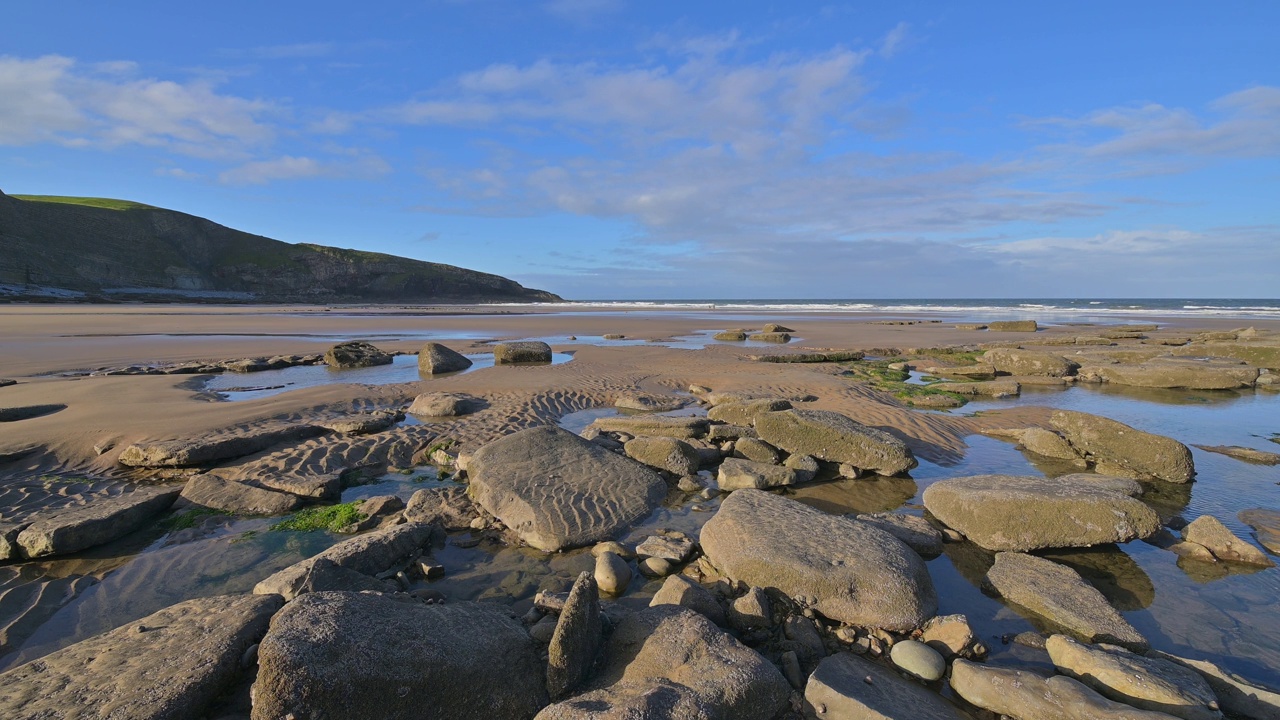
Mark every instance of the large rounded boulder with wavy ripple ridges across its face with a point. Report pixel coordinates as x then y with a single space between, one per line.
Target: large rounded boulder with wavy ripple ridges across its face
557 491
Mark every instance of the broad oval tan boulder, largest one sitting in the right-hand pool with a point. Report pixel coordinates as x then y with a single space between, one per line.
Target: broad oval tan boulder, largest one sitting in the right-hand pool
1026 513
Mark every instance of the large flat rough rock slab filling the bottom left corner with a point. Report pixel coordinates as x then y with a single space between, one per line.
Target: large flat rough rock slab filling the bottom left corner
172 664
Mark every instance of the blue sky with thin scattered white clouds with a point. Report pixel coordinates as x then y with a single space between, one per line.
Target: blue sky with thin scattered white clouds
609 149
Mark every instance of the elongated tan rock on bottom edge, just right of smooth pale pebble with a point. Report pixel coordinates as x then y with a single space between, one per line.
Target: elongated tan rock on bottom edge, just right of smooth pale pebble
1026 696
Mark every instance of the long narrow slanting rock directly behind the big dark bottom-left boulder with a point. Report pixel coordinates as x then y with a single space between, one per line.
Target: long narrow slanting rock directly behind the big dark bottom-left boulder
369 554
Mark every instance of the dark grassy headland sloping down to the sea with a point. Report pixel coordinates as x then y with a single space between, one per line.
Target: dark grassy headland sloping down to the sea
127 250
